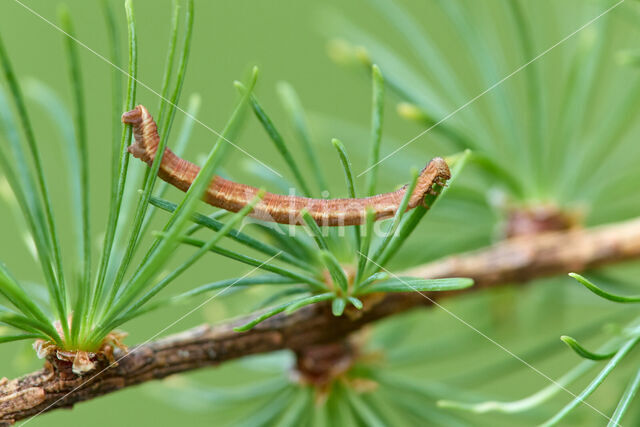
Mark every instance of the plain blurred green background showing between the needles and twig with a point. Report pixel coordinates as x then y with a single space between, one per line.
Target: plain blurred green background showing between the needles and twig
287 39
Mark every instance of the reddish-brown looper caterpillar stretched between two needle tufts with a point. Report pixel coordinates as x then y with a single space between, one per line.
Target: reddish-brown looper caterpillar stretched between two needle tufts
233 196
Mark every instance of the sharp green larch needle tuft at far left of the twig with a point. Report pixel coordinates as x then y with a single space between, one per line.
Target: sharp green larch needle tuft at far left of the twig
99 306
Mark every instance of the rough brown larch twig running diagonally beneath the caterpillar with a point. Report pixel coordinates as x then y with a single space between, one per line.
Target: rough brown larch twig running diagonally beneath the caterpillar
514 261
